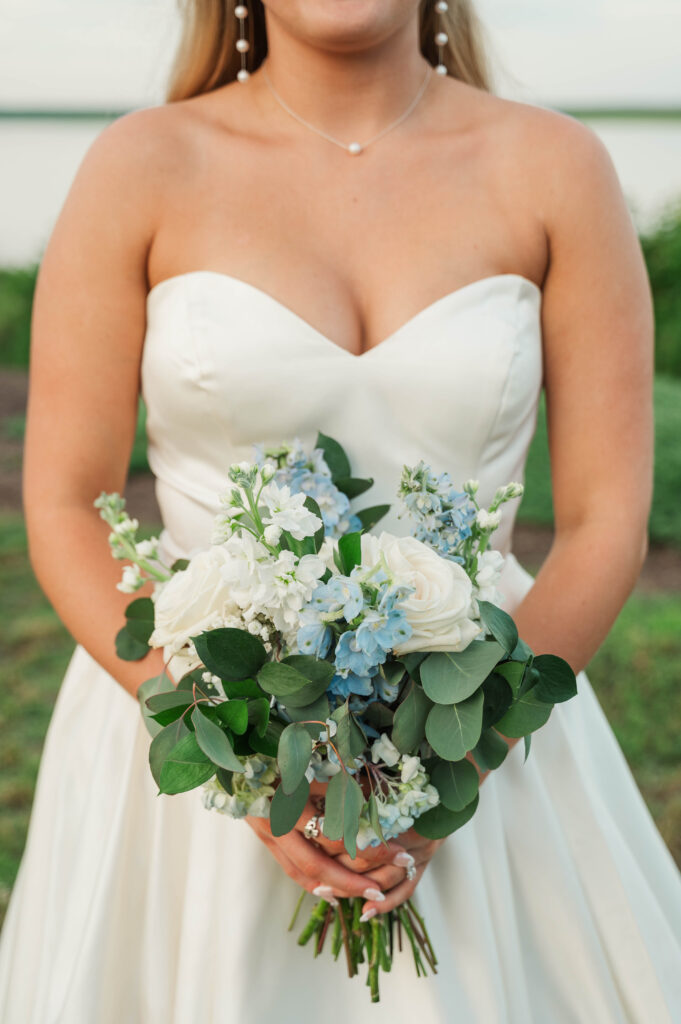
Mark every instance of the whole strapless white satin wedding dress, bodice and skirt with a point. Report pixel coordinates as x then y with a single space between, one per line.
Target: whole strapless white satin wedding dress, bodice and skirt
559 904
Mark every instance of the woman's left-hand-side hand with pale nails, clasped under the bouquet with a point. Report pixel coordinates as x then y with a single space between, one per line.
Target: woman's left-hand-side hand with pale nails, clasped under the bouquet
323 868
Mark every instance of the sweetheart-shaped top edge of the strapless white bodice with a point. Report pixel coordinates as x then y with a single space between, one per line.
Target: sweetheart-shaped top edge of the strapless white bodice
436 305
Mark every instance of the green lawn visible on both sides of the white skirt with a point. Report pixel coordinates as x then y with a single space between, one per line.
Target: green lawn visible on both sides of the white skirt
635 676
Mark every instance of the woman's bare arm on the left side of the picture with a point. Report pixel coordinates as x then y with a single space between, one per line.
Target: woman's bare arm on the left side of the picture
87 342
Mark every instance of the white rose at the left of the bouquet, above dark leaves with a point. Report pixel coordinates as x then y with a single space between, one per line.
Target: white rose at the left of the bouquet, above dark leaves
195 600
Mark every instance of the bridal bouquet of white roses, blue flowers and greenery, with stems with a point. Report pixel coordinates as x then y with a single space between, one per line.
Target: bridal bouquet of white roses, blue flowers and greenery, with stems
311 649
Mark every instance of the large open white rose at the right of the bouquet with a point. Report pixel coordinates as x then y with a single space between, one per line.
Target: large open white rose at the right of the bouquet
439 609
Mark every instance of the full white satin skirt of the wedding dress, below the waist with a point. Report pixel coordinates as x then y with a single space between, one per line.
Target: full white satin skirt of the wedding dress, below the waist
558 904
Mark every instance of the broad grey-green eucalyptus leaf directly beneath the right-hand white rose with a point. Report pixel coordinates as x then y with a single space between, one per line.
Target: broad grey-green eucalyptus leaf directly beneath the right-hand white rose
452 676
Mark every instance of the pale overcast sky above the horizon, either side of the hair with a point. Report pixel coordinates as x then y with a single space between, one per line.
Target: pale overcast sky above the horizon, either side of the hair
117 53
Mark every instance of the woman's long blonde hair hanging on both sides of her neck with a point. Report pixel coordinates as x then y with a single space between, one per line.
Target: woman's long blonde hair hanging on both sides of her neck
207 57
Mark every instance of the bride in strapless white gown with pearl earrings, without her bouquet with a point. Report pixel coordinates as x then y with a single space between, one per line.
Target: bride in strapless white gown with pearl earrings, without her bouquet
335 225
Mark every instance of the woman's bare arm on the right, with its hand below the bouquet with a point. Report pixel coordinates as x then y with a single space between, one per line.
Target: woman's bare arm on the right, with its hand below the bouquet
599 353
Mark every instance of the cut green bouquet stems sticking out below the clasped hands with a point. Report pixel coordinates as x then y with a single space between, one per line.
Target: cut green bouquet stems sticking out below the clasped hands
368 943
